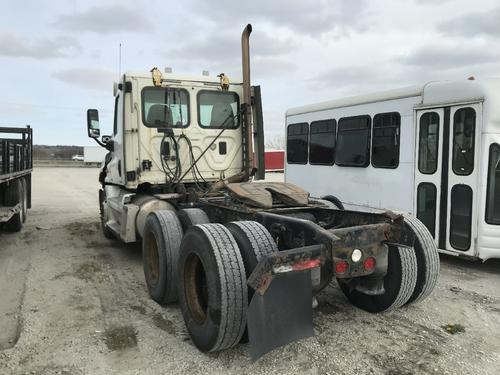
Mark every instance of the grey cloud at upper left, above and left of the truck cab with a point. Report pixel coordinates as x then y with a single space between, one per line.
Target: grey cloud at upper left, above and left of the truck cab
105 20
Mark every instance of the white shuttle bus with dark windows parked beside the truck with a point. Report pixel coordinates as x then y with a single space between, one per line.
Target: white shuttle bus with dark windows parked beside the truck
432 151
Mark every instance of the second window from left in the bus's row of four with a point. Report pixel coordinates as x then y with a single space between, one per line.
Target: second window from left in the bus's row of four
322 142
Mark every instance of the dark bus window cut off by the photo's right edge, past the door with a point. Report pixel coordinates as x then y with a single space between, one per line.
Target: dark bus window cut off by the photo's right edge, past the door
493 187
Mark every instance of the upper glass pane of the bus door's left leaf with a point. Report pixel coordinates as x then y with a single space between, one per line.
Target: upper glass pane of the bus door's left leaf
428 143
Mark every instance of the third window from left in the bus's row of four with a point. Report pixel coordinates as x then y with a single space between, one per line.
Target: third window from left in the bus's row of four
353 142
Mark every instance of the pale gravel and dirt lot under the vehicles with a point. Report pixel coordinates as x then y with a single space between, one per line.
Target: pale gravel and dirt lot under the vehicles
73 302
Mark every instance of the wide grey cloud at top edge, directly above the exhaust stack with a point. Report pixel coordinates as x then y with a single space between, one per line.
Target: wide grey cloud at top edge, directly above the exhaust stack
311 17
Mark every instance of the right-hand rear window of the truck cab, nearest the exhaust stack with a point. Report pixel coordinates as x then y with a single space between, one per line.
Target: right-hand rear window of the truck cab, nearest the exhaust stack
217 109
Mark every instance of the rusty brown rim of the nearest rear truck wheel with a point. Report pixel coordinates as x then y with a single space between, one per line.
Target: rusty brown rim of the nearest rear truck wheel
195 286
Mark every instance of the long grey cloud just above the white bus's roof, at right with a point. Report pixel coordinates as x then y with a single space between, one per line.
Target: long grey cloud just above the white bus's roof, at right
449 56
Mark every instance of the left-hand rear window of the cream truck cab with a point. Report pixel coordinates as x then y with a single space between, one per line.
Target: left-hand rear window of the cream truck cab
165 107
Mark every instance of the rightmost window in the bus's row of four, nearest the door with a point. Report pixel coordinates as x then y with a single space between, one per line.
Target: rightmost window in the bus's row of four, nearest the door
385 141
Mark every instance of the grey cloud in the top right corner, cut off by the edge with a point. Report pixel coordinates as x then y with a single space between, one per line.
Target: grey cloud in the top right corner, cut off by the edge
480 23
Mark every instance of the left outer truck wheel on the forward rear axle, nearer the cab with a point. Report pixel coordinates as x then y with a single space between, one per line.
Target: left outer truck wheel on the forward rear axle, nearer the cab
160 253
